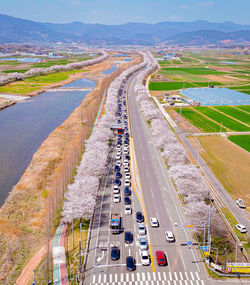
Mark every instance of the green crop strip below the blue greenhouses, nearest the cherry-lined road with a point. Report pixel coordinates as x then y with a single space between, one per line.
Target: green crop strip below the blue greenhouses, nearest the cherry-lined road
199 121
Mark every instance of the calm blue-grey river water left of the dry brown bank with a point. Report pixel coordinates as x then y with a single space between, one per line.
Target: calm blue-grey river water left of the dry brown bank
25 125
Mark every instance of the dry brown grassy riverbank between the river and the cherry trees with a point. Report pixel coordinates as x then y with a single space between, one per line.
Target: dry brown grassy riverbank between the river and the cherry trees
28 217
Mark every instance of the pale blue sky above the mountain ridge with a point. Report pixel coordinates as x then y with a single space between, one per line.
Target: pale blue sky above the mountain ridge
113 12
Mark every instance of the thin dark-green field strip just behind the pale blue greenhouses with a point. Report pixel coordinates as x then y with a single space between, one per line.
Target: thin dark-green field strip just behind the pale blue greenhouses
177 85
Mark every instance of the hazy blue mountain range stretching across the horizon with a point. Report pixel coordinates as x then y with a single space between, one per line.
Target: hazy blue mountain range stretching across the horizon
15 30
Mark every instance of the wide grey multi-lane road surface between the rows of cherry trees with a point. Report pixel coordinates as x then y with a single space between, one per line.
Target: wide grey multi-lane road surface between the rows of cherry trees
158 199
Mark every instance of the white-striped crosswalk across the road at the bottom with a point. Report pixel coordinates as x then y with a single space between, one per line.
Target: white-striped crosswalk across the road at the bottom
148 278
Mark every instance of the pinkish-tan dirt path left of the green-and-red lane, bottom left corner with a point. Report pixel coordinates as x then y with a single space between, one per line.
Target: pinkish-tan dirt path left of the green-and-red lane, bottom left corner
27 272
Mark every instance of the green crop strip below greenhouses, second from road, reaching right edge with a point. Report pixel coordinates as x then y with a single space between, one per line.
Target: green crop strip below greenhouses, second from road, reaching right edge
226 121
